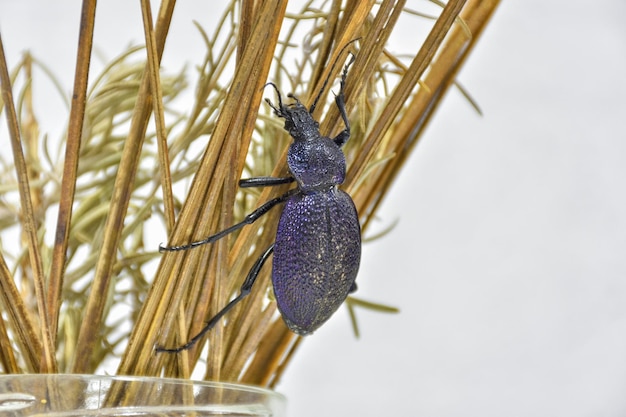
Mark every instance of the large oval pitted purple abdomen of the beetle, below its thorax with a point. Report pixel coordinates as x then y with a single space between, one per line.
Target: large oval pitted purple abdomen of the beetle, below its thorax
316 257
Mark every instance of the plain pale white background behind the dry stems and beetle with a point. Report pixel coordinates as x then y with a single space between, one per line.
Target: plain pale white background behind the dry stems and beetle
508 261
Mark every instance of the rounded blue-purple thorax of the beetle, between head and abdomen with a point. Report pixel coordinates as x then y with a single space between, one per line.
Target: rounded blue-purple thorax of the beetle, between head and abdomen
317 163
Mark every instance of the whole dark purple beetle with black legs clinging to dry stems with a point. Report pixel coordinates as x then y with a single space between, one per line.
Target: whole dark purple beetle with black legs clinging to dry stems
318 241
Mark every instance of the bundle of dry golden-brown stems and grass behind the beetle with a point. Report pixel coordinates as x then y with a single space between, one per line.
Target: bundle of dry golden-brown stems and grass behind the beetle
107 180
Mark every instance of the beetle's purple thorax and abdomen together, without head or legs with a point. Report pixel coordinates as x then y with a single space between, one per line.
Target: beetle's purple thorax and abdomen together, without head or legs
318 241
